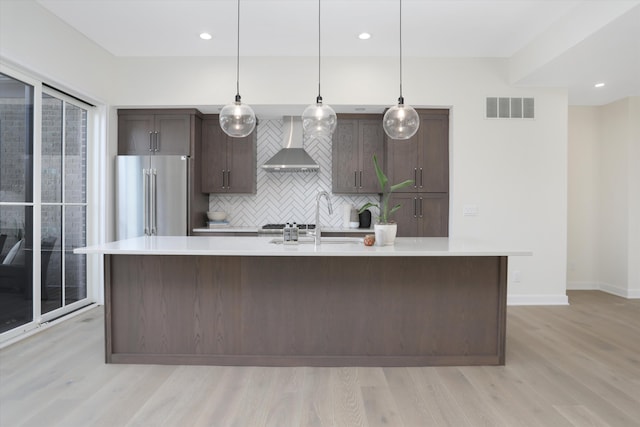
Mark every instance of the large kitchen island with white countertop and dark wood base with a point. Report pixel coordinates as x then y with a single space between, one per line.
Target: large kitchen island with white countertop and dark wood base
248 301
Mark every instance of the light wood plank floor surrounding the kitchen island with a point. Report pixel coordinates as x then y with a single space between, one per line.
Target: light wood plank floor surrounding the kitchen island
576 365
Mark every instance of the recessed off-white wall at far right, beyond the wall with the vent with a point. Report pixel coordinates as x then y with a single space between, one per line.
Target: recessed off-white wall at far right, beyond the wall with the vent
604 207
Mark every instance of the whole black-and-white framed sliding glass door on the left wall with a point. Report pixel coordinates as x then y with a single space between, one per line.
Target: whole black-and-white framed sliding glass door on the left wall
43 204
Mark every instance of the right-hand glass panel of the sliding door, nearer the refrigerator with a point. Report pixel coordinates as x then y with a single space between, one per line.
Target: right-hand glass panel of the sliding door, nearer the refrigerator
64 199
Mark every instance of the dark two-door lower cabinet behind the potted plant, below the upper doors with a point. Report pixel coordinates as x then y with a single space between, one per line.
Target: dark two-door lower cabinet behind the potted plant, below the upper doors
422 214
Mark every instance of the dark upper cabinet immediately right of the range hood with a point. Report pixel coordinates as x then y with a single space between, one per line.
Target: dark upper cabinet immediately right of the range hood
356 139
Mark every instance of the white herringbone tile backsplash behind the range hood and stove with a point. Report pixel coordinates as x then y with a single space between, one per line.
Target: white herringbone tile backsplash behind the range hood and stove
287 196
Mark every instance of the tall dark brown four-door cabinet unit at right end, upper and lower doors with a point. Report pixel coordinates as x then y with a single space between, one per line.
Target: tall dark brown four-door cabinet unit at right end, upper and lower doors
424 159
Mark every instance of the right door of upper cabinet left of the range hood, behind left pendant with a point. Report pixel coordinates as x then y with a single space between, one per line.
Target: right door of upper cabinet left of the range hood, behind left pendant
241 164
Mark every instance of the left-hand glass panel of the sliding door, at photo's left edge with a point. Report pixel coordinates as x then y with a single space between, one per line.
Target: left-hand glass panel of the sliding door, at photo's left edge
16 202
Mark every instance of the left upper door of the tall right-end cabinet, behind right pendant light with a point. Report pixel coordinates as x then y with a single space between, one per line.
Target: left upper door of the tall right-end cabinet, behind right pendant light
402 161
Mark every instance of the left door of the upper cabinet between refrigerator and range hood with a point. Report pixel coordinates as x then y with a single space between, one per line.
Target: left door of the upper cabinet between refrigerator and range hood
214 157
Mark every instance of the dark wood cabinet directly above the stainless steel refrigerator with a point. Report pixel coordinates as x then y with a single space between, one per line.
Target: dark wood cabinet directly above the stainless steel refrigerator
164 132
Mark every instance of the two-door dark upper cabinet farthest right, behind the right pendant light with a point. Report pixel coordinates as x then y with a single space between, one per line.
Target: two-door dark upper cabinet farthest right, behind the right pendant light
425 157
